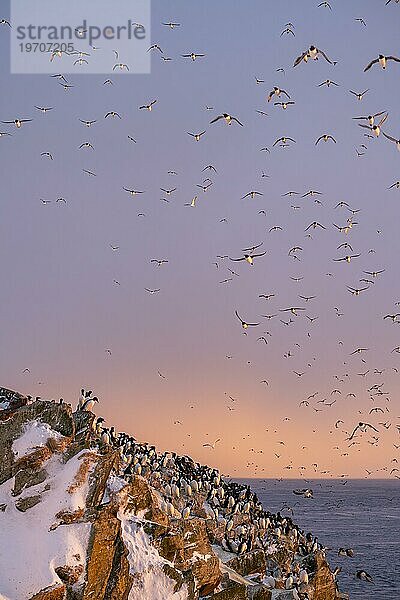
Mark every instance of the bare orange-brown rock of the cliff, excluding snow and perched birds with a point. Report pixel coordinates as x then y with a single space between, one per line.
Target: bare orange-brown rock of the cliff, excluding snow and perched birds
183 544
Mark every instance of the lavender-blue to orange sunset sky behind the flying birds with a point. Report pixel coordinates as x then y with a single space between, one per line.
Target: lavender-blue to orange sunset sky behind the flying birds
175 368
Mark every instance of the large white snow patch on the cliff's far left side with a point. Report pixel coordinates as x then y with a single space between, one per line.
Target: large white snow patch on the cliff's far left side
29 552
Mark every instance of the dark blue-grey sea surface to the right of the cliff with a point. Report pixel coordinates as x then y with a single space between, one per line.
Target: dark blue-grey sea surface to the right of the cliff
360 514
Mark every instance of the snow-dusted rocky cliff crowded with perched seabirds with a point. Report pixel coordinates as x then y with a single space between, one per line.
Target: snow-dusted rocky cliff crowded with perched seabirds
89 514
